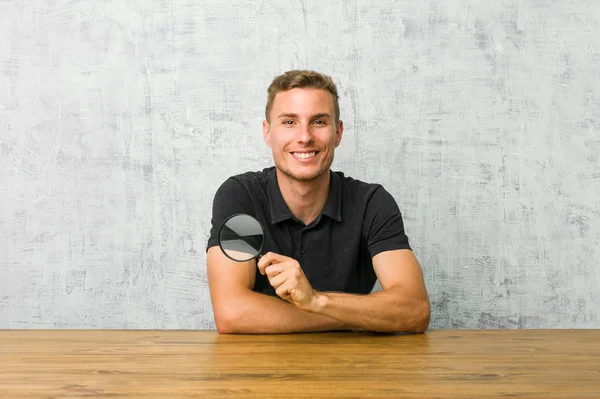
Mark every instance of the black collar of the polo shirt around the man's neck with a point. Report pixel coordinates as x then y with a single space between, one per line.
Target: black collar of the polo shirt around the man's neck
280 211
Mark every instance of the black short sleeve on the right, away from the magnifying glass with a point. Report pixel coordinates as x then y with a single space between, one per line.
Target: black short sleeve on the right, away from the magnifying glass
384 227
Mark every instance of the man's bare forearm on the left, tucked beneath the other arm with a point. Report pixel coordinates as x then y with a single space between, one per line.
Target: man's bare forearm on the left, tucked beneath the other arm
255 313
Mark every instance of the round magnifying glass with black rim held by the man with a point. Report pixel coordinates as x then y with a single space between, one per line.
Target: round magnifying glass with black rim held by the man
241 237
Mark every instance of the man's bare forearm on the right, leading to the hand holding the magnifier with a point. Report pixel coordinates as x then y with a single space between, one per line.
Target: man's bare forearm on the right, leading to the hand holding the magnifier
384 311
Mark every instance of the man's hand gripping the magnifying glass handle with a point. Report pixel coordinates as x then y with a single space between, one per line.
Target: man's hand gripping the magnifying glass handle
286 276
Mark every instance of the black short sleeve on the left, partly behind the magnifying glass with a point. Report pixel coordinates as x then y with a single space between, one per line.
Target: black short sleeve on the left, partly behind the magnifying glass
231 198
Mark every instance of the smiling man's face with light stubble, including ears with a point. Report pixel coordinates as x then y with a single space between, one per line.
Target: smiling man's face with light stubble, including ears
303 133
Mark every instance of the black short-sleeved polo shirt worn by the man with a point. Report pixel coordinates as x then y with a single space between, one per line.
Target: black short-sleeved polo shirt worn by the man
358 221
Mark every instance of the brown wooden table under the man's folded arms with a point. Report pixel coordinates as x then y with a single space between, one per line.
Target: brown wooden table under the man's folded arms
204 364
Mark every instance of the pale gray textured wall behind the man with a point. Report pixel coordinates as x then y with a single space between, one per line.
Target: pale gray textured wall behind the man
118 121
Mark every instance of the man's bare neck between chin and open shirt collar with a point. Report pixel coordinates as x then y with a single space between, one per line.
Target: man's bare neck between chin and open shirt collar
305 199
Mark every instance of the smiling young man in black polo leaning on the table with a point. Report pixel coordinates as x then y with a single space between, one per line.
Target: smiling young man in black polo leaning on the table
328 237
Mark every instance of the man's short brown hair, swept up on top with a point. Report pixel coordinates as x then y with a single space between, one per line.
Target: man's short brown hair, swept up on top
301 79
